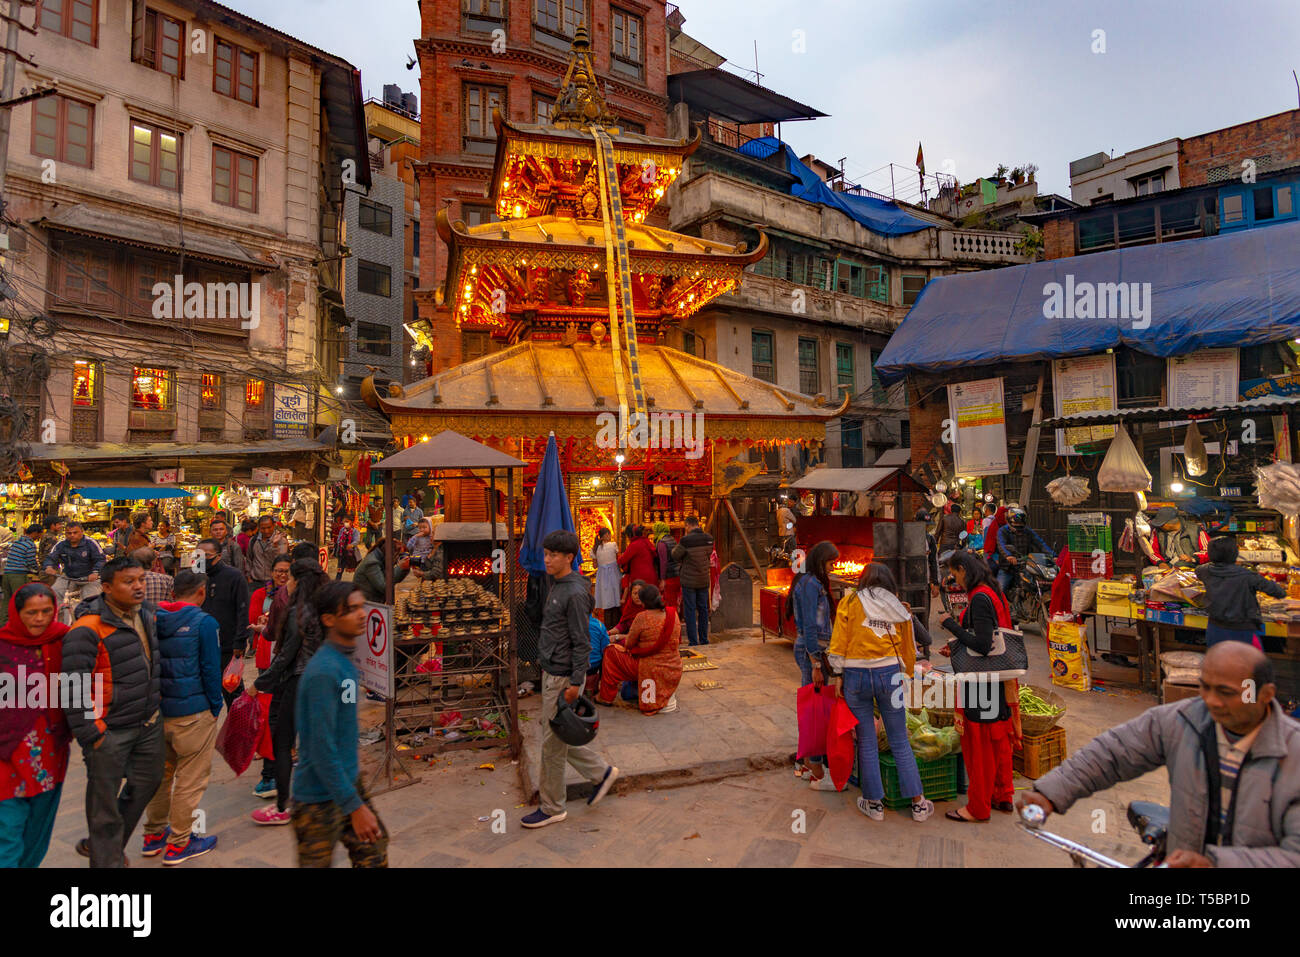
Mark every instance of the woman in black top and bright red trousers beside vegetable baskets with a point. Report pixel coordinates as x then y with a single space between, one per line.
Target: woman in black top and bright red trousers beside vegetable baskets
990 730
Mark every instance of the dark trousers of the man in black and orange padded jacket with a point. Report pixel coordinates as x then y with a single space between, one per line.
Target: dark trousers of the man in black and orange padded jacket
114 811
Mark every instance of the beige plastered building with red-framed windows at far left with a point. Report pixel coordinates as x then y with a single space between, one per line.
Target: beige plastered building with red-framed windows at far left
185 140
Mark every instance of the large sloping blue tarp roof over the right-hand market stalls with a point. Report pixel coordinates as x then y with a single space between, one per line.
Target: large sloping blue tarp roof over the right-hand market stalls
1240 289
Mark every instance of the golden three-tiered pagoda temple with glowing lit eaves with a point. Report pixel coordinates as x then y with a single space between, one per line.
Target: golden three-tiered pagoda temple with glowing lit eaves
580 292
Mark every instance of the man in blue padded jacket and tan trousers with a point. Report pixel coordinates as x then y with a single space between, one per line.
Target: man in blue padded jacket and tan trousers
190 653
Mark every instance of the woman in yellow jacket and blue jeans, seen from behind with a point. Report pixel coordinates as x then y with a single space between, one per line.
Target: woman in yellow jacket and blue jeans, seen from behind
873 648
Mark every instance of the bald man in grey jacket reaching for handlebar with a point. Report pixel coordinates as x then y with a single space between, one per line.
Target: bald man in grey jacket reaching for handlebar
1233 759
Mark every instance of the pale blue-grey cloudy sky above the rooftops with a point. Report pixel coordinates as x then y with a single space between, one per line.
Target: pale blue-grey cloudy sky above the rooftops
977 84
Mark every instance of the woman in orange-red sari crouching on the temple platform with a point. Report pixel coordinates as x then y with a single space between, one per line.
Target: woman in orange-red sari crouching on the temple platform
648 656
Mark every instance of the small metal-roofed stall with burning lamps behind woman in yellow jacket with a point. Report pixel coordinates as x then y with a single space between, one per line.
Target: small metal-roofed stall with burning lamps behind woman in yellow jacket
831 499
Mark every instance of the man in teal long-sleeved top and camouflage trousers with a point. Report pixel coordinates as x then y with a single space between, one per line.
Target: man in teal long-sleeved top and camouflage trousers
331 804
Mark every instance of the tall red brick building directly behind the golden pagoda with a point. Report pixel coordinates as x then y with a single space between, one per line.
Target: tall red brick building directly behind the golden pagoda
512 55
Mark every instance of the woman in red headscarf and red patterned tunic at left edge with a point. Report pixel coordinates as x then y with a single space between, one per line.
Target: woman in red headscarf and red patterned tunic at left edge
34 742
